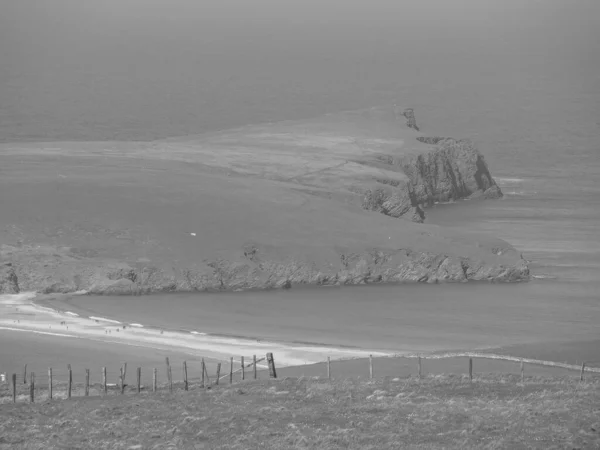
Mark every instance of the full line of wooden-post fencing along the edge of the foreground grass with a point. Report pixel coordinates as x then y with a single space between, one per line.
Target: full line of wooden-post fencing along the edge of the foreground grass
467 363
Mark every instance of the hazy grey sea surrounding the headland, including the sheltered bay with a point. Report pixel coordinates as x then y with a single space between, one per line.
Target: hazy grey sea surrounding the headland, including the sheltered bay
521 80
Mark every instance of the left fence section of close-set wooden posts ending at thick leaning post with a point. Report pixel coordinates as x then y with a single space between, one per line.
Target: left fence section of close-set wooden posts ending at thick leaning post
64 386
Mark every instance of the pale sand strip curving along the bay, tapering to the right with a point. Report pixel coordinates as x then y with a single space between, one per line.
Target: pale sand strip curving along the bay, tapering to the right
30 315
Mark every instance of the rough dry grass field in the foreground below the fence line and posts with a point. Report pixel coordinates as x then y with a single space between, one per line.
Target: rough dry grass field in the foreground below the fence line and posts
437 412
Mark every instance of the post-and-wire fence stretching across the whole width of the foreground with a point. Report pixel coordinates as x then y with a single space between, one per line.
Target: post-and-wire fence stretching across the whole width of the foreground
60 384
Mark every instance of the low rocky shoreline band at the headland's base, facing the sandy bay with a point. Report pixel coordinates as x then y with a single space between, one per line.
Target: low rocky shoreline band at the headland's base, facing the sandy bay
394 267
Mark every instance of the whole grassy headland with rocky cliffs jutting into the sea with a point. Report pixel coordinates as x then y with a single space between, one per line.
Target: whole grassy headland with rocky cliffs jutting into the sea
340 199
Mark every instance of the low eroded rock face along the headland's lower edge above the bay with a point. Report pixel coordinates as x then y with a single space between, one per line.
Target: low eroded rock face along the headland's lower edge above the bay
259 271
